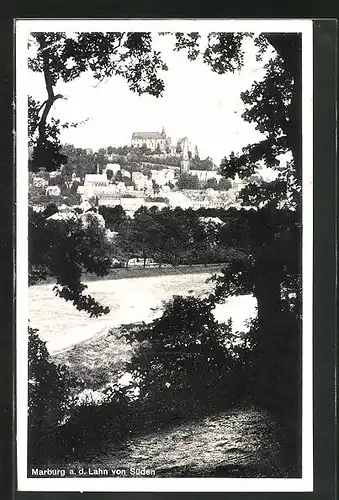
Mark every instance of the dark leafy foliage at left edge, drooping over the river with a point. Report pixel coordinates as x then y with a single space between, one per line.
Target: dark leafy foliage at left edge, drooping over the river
64 249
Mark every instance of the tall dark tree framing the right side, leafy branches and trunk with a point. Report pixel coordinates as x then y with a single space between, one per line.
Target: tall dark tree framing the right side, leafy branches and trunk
268 240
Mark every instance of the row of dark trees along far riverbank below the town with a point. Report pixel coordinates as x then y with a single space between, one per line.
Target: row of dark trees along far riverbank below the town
168 236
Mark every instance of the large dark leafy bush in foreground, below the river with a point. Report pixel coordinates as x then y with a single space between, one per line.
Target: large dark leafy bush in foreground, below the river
174 352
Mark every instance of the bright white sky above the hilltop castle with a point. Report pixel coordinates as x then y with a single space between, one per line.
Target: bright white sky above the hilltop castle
197 103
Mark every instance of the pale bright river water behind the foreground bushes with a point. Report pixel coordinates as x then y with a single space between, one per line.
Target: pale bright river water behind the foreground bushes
129 299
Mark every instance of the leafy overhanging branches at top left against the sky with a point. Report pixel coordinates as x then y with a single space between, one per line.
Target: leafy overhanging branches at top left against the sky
60 57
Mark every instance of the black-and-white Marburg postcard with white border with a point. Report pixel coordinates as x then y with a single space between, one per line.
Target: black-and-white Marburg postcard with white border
164 255
